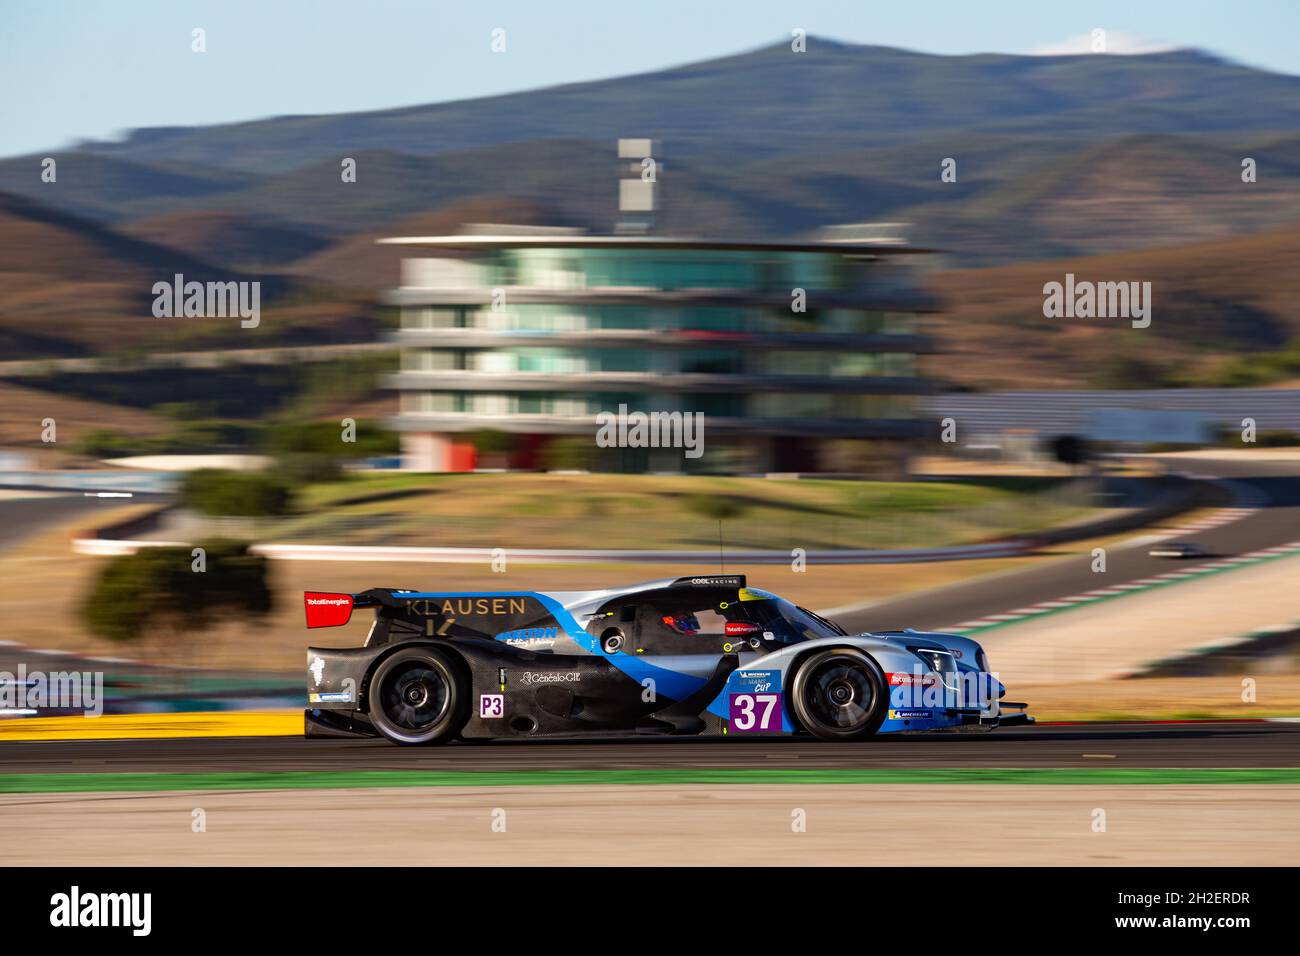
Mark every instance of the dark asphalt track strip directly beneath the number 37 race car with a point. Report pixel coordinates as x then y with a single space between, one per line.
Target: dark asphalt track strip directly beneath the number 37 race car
1229 745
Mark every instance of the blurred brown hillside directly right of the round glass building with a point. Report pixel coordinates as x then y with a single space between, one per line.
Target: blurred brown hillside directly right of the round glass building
1224 314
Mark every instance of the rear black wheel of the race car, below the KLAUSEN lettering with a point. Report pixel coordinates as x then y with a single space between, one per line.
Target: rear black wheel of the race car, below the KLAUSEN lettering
419 697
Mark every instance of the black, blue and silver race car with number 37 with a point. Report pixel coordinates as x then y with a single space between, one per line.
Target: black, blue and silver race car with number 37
701 656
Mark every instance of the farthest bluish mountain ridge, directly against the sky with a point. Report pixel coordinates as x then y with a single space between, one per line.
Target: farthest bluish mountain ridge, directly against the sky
775 102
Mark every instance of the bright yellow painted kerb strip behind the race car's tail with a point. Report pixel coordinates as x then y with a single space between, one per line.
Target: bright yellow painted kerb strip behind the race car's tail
229 724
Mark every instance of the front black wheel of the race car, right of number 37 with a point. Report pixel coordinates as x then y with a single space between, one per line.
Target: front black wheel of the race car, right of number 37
840 695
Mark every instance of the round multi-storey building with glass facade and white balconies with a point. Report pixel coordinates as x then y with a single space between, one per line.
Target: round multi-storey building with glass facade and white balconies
801 356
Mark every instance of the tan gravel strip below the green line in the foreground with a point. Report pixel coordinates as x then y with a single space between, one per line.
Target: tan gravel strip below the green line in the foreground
681 825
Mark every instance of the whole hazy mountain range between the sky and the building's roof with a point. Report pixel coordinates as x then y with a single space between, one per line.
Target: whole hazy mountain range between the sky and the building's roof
1056 157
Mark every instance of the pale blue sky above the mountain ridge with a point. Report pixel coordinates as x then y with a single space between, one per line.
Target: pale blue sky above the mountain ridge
86 70
